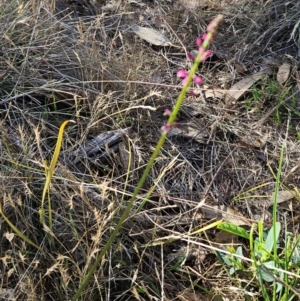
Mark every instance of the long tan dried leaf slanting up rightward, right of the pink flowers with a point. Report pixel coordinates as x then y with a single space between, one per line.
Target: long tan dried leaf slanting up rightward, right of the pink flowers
238 89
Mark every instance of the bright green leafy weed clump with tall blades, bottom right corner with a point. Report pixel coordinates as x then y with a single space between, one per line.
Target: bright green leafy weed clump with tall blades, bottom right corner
272 264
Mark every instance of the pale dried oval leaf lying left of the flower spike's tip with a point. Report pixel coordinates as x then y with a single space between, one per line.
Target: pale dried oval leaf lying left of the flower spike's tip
152 36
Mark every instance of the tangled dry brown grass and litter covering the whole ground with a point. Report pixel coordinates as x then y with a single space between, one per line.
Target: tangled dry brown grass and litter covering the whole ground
80 60
